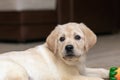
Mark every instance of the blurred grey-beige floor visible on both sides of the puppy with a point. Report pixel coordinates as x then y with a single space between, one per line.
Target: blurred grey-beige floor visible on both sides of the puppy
105 53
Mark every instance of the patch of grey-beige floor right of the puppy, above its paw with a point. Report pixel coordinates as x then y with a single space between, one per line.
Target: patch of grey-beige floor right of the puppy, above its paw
106 52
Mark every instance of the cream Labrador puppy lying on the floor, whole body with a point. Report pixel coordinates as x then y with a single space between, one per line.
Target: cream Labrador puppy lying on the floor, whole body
62 57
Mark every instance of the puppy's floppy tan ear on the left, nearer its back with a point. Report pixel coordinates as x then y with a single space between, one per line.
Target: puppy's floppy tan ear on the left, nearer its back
52 40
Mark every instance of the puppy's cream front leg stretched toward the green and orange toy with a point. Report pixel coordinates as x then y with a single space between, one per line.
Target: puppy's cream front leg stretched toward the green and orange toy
97 72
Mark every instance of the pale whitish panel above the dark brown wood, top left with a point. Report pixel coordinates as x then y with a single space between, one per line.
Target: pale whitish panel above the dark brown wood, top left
8 5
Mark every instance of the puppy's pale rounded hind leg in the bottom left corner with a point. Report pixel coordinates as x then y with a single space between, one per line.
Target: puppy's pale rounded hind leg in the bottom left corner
12 71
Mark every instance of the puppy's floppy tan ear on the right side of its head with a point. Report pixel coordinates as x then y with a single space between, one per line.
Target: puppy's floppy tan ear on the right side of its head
90 37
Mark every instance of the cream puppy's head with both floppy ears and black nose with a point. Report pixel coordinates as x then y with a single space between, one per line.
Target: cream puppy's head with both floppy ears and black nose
71 41
